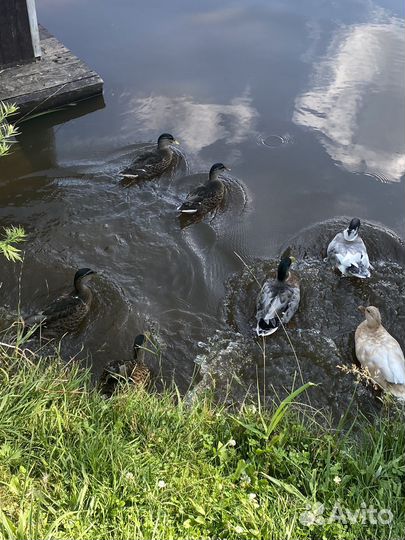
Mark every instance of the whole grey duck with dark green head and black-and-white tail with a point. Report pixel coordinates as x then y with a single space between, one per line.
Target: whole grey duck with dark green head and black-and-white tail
278 299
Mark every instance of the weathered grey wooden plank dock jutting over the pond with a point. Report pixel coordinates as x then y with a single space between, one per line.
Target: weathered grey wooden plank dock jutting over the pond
57 79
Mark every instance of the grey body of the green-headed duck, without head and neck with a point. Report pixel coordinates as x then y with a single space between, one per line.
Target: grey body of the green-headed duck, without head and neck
276 302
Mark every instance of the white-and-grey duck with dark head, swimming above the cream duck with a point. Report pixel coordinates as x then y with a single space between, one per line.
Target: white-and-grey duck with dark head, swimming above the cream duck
347 252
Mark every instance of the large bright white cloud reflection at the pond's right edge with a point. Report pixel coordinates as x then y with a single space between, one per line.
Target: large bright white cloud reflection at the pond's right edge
357 100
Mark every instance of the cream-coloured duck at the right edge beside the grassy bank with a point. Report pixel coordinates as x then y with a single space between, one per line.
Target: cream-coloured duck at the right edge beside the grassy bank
378 351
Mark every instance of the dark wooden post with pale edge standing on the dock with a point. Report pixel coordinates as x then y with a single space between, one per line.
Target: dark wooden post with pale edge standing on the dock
19 36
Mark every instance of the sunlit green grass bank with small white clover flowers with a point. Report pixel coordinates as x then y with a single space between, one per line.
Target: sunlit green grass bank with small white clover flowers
76 466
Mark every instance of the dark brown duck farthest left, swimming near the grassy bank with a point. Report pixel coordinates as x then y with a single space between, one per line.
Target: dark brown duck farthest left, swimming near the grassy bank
66 312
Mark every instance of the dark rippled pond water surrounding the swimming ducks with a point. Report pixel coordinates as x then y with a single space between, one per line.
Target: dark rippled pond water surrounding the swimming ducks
304 101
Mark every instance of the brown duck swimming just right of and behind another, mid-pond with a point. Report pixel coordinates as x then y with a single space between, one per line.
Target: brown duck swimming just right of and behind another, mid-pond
207 197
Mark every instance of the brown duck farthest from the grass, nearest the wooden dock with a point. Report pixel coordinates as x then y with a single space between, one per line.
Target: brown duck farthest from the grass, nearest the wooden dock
153 163
